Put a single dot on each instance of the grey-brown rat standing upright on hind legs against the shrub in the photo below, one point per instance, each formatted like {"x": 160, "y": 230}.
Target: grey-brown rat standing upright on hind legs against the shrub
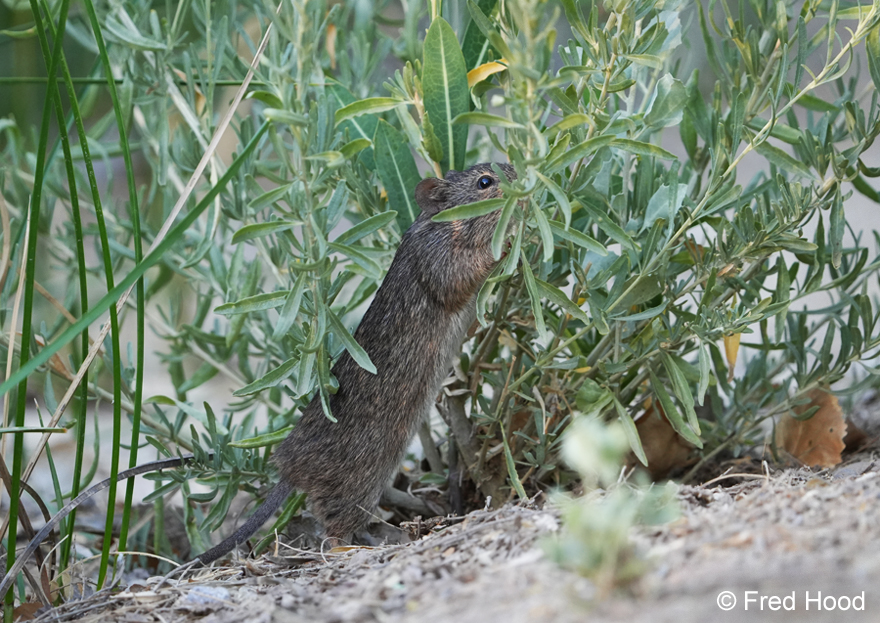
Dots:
{"x": 411, "y": 331}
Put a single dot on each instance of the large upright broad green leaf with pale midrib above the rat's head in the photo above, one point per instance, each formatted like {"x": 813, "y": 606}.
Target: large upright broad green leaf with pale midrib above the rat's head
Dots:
{"x": 444, "y": 82}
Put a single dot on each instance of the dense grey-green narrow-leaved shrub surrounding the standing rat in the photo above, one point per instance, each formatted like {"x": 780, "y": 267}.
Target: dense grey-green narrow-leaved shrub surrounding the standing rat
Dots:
{"x": 638, "y": 248}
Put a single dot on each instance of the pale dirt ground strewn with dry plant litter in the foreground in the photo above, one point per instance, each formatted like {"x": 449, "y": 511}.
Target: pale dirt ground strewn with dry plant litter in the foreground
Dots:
{"x": 810, "y": 539}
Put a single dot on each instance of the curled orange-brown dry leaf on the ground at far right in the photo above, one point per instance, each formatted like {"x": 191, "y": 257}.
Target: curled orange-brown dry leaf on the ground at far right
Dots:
{"x": 818, "y": 440}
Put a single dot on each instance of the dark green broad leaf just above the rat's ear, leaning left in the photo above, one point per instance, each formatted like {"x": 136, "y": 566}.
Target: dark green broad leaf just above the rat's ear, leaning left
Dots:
{"x": 398, "y": 172}
